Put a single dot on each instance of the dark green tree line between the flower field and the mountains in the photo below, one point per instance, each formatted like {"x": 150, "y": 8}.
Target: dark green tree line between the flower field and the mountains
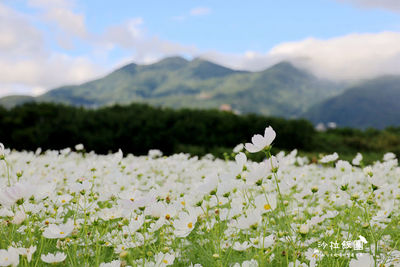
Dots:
{"x": 137, "y": 128}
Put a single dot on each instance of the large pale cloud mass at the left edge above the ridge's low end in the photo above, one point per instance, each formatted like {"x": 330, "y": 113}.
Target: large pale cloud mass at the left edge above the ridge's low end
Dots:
{"x": 27, "y": 65}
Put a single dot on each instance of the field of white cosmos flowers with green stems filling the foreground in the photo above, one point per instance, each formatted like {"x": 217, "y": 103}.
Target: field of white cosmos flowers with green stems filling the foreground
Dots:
{"x": 74, "y": 208}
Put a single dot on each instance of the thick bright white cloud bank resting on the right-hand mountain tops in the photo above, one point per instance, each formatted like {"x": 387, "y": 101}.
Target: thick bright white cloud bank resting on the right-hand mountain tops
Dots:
{"x": 353, "y": 56}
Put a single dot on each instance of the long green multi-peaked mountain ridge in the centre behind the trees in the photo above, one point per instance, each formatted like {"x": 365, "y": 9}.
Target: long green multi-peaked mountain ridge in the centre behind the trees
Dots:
{"x": 281, "y": 90}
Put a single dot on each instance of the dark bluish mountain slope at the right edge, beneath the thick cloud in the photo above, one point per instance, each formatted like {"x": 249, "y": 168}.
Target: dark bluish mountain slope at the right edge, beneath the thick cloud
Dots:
{"x": 374, "y": 103}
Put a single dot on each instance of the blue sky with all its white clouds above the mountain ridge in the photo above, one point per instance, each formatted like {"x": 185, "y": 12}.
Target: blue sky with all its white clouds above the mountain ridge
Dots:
{"x": 48, "y": 43}
